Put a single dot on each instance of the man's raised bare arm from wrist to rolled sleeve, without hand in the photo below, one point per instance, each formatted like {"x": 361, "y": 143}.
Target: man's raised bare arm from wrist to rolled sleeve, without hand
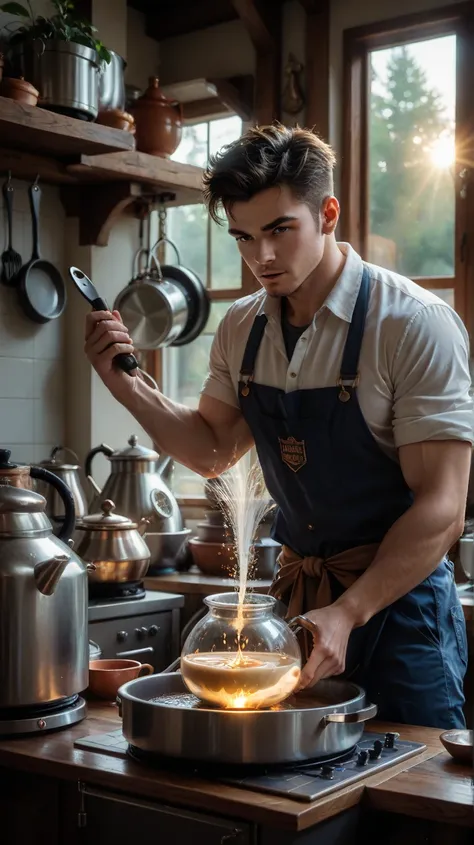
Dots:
{"x": 207, "y": 441}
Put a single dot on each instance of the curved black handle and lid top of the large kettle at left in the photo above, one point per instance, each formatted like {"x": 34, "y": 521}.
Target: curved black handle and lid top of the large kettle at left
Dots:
{"x": 19, "y": 475}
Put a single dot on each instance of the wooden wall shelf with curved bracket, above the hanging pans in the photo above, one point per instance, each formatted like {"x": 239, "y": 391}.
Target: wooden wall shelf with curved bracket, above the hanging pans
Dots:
{"x": 79, "y": 156}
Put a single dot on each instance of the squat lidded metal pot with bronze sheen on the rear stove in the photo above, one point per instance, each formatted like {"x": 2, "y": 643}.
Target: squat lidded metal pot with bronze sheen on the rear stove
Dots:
{"x": 114, "y": 545}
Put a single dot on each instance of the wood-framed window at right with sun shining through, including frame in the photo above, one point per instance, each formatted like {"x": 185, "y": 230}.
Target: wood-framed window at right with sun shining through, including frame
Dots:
{"x": 407, "y": 146}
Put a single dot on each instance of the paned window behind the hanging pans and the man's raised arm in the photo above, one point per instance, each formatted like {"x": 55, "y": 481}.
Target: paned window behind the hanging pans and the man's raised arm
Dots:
{"x": 207, "y": 249}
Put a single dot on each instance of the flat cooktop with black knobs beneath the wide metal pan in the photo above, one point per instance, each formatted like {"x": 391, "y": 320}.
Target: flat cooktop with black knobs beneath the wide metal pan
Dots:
{"x": 303, "y": 782}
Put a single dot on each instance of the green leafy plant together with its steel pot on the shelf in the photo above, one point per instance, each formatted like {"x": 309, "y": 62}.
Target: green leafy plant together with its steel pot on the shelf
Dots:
{"x": 61, "y": 55}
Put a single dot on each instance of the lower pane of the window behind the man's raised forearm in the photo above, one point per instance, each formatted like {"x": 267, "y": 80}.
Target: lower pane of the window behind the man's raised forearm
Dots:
{"x": 185, "y": 368}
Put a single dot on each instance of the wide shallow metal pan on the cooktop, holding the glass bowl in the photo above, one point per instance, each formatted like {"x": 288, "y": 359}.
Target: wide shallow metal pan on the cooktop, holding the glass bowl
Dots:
{"x": 328, "y": 720}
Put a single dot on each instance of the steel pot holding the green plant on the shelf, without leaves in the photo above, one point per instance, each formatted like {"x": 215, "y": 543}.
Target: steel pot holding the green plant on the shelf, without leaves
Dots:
{"x": 66, "y": 75}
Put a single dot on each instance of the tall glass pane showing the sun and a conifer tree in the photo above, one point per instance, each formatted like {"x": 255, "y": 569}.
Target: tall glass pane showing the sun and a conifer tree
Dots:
{"x": 411, "y": 157}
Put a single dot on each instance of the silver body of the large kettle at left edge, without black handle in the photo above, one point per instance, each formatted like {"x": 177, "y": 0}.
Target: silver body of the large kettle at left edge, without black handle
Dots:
{"x": 44, "y": 652}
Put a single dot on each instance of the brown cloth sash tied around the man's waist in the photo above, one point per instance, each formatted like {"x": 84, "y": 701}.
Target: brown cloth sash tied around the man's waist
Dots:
{"x": 303, "y": 583}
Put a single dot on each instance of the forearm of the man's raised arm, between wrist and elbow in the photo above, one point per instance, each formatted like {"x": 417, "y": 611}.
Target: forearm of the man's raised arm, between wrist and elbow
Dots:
{"x": 176, "y": 430}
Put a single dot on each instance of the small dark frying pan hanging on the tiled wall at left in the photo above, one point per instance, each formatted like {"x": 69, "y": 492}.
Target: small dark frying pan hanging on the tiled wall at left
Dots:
{"x": 40, "y": 286}
